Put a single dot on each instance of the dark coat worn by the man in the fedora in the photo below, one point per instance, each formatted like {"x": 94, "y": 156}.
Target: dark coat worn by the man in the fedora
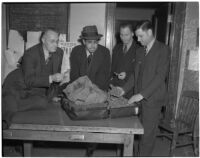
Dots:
{"x": 99, "y": 69}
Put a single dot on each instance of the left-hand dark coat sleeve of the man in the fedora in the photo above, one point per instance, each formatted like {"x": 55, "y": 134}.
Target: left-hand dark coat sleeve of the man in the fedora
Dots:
{"x": 74, "y": 65}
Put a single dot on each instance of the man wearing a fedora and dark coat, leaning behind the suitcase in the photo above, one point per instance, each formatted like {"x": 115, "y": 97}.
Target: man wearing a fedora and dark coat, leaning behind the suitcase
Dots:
{"x": 91, "y": 59}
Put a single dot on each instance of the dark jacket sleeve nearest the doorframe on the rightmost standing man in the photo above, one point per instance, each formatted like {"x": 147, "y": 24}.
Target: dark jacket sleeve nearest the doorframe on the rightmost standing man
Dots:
{"x": 161, "y": 73}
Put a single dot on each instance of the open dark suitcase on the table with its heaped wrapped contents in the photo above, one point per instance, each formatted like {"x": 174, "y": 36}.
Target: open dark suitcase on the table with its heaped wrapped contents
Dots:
{"x": 85, "y": 101}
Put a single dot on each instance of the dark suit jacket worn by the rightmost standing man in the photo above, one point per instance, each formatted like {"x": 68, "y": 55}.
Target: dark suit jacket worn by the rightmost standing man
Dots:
{"x": 153, "y": 81}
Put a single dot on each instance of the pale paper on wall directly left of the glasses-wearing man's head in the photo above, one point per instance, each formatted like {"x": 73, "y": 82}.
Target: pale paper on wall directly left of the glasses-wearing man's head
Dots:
{"x": 33, "y": 38}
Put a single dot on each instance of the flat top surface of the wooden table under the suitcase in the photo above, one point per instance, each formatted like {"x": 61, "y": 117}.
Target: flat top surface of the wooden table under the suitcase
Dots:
{"x": 55, "y": 119}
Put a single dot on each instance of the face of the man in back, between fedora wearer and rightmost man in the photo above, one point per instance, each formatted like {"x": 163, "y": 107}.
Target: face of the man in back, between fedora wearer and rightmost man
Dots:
{"x": 126, "y": 35}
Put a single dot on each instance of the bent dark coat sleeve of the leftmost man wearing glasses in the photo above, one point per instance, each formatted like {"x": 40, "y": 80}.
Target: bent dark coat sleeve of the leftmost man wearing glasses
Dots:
{"x": 29, "y": 69}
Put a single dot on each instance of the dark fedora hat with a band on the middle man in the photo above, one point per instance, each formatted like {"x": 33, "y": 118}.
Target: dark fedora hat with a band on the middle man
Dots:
{"x": 90, "y": 33}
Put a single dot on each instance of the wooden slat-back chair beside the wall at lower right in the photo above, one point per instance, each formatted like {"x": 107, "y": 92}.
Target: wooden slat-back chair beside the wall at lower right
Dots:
{"x": 181, "y": 121}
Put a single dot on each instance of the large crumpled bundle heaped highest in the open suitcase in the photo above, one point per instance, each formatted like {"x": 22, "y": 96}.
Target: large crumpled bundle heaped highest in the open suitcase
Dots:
{"x": 84, "y": 92}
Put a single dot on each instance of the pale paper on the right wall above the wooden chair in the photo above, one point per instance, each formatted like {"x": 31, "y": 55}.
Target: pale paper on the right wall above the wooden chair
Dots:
{"x": 193, "y": 63}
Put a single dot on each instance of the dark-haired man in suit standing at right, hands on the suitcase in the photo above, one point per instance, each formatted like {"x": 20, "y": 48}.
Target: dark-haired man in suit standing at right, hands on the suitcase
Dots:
{"x": 149, "y": 82}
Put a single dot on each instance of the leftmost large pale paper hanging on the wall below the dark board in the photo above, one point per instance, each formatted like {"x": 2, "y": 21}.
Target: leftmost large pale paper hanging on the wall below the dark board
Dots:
{"x": 16, "y": 42}
